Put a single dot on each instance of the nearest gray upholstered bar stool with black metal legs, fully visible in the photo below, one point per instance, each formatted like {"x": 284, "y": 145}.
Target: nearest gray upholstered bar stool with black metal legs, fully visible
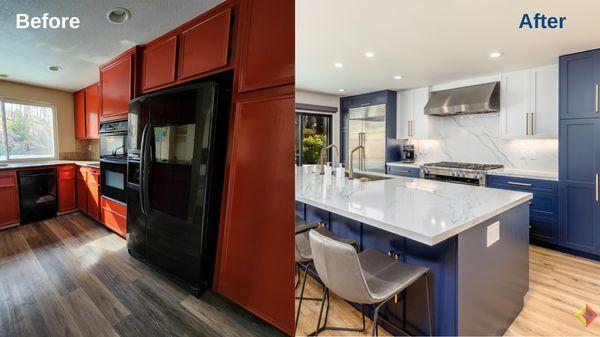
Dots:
{"x": 368, "y": 277}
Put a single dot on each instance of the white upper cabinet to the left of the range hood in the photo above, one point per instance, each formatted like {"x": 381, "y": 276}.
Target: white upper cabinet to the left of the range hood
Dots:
{"x": 410, "y": 114}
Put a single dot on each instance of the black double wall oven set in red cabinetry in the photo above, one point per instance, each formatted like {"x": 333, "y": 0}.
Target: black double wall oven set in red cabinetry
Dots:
{"x": 113, "y": 160}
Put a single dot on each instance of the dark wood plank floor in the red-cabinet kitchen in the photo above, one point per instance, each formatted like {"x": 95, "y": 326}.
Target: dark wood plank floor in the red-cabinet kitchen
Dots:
{"x": 69, "y": 276}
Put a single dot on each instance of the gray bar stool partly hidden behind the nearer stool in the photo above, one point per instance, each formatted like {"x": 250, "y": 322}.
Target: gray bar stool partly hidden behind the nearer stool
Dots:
{"x": 304, "y": 255}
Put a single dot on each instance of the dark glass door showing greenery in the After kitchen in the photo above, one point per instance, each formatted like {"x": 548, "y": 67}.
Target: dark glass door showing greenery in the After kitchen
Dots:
{"x": 313, "y": 133}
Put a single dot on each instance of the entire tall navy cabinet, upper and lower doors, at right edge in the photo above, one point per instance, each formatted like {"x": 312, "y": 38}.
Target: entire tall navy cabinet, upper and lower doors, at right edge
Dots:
{"x": 579, "y": 151}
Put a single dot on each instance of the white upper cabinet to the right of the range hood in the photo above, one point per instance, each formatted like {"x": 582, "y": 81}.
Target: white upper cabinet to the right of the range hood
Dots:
{"x": 529, "y": 103}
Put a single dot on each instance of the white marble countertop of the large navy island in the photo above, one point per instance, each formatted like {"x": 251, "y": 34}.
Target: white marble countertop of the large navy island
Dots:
{"x": 426, "y": 211}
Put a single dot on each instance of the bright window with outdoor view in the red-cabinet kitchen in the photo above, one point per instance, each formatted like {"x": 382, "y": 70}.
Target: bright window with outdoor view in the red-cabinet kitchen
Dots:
{"x": 27, "y": 131}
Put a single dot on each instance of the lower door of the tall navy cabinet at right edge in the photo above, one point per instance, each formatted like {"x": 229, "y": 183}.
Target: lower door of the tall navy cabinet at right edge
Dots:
{"x": 579, "y": 153}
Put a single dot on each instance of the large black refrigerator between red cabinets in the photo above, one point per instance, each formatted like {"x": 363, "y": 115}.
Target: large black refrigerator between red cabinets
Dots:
{"x": 175, "y": 168}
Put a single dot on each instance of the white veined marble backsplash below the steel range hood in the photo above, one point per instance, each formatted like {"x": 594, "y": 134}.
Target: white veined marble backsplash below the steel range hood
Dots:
{"x": 477, "y": 139}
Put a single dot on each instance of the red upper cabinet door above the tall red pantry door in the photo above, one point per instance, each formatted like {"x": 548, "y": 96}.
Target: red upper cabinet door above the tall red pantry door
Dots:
{"x": 267, "y": 51}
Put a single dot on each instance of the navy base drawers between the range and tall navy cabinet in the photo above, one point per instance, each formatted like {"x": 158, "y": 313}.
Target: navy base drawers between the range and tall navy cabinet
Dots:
{"x": 543, "y": 210}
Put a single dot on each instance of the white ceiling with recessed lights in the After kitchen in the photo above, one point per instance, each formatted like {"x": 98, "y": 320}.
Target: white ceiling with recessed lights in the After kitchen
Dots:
{"x": 429, "y": 41}
